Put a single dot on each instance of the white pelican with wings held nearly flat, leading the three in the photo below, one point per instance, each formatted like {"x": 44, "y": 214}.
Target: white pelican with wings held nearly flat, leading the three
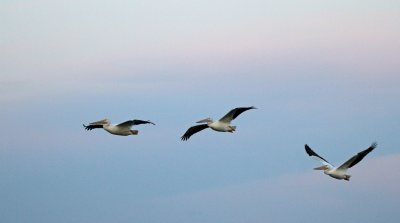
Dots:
{"x": 122, "y": 129}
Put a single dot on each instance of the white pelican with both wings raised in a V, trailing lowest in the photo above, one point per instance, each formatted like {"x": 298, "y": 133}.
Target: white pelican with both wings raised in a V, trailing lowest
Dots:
{"x": 339, "y": 172}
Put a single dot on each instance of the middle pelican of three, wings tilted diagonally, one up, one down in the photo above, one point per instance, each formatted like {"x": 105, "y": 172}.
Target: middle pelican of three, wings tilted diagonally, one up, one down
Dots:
{"x": 222, "y": 125}
